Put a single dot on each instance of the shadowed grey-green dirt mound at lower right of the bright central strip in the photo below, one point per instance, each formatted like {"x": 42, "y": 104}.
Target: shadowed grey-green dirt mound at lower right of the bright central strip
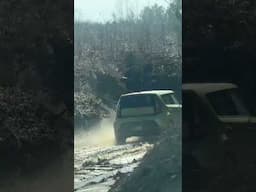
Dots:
{"x": 160, "y": 171}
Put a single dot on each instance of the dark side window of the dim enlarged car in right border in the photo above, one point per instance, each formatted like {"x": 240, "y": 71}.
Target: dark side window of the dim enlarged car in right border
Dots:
{"x": 227, "y": 103}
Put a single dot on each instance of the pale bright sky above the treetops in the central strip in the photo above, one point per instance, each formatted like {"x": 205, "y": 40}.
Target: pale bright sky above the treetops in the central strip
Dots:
{"x": 102, "y": 10}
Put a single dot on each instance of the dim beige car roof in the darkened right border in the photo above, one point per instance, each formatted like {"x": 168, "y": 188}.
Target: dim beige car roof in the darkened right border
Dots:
{"x": 204, "y": 88}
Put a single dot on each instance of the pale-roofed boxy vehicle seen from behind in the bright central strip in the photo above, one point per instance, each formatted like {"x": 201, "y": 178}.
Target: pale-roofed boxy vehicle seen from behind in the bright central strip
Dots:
{"x": 145, "y": 113}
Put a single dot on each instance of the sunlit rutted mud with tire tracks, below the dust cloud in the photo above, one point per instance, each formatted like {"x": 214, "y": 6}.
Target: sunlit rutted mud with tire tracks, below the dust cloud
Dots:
{"x": 97, "y": 168}
